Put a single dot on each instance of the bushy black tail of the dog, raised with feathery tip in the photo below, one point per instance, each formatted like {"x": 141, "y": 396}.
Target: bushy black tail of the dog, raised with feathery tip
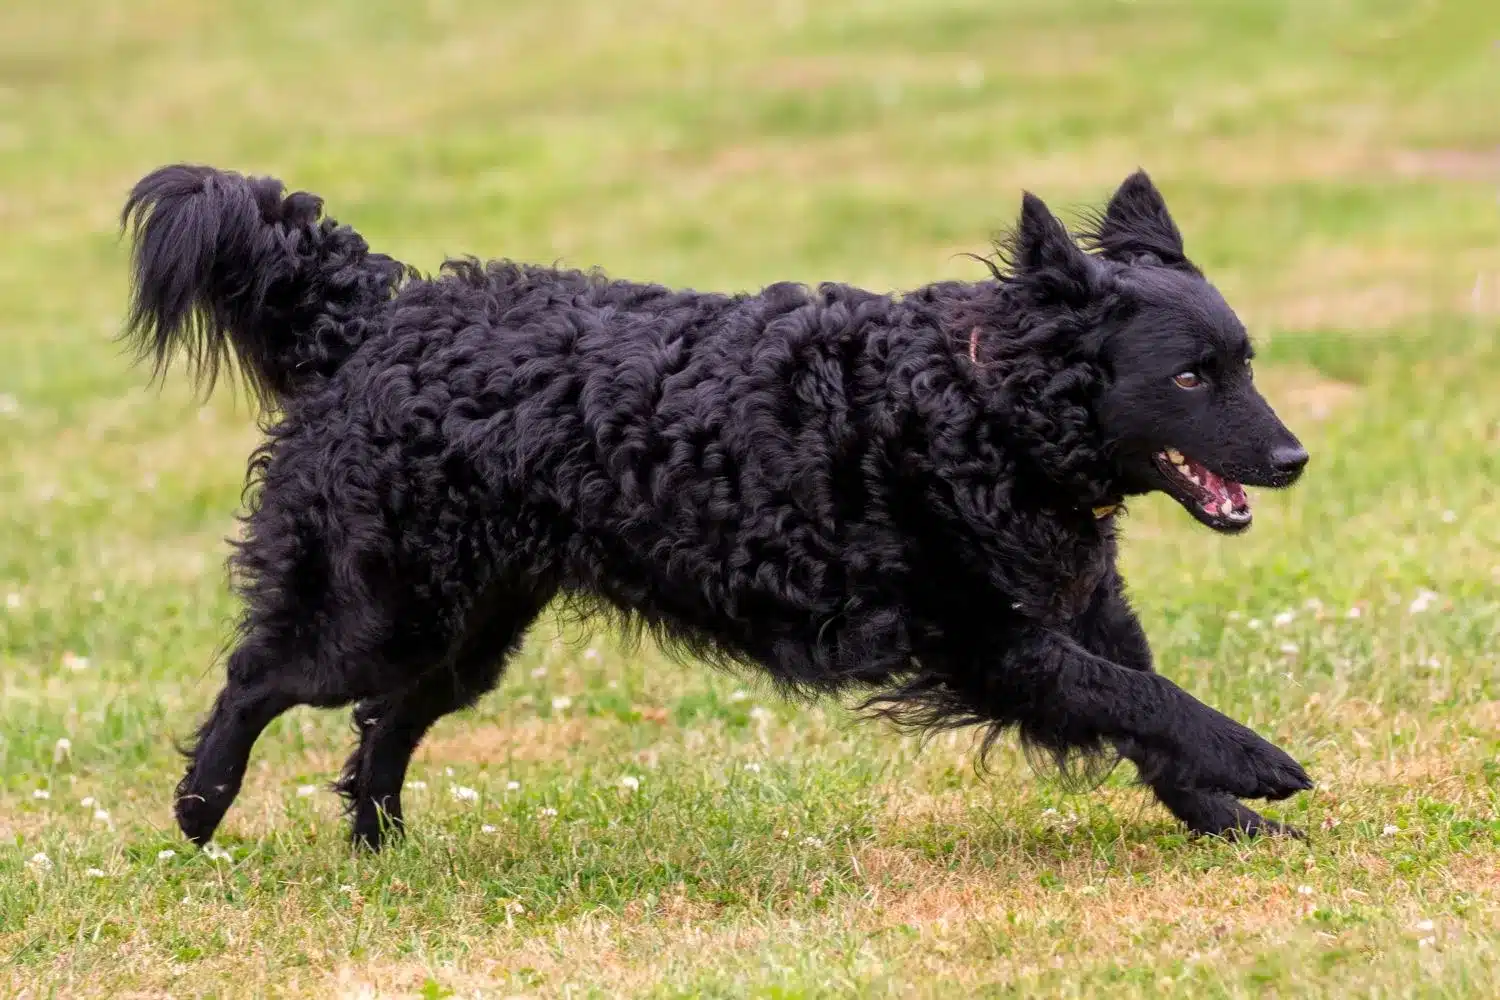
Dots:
{"x": 227, "y": 265}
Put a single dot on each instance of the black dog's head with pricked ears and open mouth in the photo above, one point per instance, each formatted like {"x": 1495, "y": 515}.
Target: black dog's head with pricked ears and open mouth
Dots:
{"x": 1174, "y": 403}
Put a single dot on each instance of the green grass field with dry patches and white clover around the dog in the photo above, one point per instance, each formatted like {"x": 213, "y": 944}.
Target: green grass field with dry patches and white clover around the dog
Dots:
{"x": 1336, "y": 169}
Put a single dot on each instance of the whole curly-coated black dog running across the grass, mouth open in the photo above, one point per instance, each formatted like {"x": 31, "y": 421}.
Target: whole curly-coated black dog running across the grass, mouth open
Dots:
{"x": 914, "y": 497}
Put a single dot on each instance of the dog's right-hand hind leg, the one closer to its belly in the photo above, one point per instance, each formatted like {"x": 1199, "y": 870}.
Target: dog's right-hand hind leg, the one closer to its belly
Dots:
{"x": 391, "y": 728}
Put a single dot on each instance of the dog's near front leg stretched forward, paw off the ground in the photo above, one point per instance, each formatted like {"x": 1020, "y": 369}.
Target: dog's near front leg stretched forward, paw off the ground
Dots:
{"x": 1064, "y": 696}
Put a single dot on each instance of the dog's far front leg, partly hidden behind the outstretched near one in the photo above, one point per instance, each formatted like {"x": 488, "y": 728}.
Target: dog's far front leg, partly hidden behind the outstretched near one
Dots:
{"x": 1111, "y": 629}
